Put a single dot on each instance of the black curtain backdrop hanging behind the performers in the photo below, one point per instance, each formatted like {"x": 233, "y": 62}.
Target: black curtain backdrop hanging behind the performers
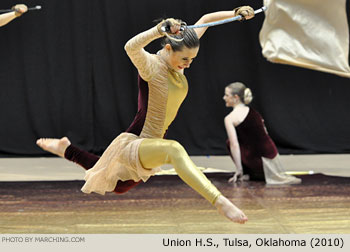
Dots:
{"x": 64, "y": 72}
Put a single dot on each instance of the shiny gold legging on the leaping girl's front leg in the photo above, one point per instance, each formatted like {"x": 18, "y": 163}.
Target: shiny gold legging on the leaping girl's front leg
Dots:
{"x": 156, "y": 152}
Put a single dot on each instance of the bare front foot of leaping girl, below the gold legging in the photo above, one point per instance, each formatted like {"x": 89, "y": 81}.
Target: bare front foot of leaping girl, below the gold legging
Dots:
{"x": 229, "y": 210}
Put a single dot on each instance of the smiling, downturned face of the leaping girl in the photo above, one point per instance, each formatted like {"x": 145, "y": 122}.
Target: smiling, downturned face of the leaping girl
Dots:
{"x": 180, "y": 60}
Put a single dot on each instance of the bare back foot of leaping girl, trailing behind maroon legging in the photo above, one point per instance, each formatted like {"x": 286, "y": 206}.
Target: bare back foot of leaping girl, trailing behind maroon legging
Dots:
{"x": 54, "y": 145}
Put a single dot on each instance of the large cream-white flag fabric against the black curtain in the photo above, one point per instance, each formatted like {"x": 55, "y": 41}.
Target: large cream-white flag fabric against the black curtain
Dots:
{"x": 307, "y": 33}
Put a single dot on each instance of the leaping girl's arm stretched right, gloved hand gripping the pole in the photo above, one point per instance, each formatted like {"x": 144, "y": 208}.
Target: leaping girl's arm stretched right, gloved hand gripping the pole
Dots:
{"x": 245, "y": 11}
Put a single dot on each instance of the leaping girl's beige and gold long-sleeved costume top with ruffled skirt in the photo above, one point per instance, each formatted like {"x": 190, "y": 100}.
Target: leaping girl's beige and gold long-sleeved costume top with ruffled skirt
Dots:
{"x": 166, "y": 89}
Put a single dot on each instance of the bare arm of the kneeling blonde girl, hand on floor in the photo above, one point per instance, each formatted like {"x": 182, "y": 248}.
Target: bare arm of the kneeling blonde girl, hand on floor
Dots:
{"x": 234, "y": 147}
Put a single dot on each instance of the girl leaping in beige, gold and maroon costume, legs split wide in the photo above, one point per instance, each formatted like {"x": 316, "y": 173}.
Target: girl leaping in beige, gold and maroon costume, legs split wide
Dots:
{"x": 136, "y": 154}
